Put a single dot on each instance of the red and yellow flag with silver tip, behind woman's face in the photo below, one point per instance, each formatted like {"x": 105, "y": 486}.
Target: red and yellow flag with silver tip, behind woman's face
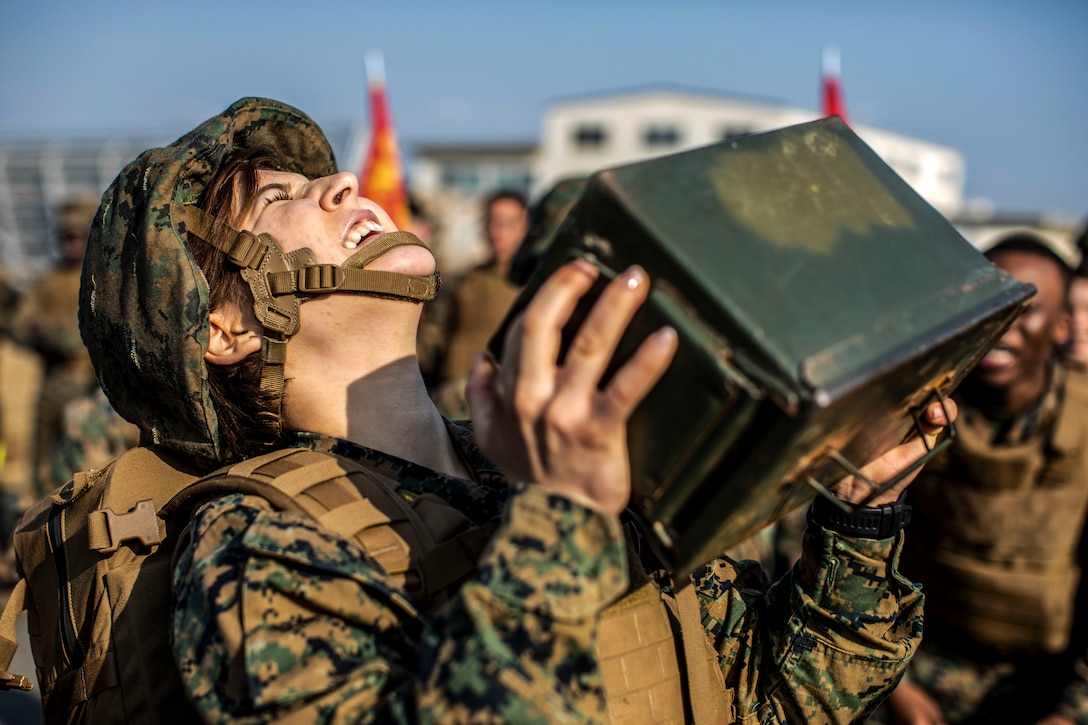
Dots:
{"x": 382, "y": 178}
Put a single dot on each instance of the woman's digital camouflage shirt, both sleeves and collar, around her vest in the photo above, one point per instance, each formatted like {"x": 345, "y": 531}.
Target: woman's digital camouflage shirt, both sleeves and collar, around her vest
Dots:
{"x": 277, "y": 617}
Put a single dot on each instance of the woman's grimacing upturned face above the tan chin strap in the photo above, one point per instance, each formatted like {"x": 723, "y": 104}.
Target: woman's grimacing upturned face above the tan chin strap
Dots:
{"x": 328, "y": 216}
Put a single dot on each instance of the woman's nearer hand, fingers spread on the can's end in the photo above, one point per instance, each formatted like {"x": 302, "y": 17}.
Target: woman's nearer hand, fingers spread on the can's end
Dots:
{"x": 550, "y": 424}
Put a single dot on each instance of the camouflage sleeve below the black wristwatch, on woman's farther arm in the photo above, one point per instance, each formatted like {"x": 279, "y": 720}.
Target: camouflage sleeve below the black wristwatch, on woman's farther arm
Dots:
{"x": 825, "y": 644}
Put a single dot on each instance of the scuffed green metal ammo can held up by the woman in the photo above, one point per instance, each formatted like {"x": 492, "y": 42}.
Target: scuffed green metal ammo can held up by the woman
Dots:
{"x": 821, "y": 304}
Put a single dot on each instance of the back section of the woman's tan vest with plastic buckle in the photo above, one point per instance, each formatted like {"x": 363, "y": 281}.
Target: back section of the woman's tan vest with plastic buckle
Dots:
{"x": 98, "y": 659}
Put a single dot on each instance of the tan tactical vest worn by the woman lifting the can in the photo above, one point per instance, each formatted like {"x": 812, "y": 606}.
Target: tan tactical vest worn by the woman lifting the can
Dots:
{"x": 85, "y": 563}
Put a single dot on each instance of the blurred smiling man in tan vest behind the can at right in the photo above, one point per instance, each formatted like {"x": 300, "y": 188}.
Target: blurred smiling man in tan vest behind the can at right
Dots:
{"x": 998, "y": 536}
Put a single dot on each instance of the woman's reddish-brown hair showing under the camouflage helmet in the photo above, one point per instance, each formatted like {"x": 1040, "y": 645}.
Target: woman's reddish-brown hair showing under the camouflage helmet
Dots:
{"x": 249, "y": 419}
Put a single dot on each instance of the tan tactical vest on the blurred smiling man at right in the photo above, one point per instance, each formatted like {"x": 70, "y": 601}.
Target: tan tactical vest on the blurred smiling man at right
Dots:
{"x": 1007, "y": 573}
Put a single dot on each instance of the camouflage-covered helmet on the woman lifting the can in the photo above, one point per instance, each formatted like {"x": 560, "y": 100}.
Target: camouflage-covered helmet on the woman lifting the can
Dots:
{"x": 144, "y": 301}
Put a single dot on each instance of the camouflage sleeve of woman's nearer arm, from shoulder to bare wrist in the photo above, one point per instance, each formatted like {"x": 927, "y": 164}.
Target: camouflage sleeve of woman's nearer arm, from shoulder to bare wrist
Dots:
{"x": 278, "y": 618}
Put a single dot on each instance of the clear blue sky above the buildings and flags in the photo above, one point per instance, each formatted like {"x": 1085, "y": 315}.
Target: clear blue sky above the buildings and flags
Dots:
{"x": 1003, "y": 81}
